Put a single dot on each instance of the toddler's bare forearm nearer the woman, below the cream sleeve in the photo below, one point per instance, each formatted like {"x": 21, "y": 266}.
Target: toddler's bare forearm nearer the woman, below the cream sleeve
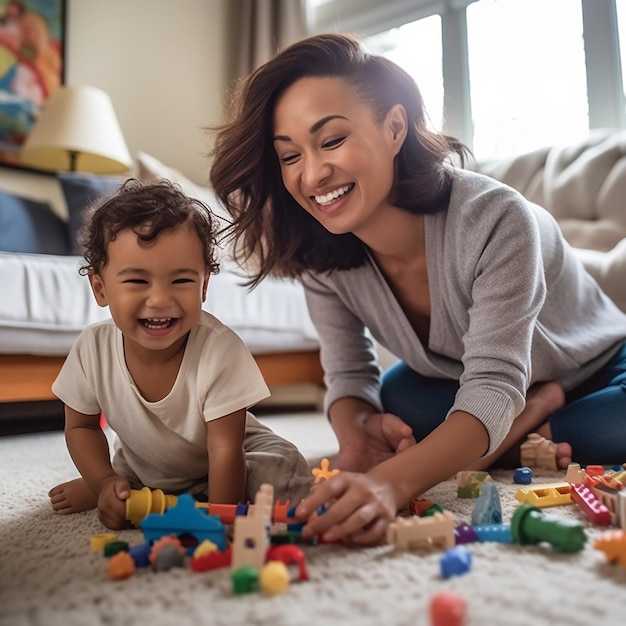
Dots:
{"x": 227, "y": 460}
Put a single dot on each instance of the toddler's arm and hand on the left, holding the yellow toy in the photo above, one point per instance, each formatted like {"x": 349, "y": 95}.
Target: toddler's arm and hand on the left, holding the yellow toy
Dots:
{"x": 89, "y": 449}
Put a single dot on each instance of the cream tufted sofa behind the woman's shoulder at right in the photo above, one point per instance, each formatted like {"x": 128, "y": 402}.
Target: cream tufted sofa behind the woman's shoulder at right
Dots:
{"x": 584, "y": 186}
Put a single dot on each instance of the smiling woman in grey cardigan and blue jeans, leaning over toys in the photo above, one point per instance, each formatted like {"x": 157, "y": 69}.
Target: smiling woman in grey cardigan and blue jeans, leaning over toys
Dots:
{"x": 332, "y": 176}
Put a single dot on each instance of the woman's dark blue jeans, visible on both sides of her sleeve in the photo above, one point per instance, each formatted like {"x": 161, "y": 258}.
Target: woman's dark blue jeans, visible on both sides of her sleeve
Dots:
{"x": 592, "y": 421}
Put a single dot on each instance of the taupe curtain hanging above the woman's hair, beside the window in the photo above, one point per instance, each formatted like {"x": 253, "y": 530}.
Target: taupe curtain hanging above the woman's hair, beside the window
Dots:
{"x": 265, "y": 26}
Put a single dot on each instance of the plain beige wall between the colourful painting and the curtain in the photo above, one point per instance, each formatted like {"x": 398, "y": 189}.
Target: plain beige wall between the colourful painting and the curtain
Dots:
{"x": 163, "y": 64}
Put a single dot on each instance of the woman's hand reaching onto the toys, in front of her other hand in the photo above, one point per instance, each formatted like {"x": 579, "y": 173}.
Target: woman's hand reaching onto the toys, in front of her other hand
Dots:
{"x": 358, "y": 509}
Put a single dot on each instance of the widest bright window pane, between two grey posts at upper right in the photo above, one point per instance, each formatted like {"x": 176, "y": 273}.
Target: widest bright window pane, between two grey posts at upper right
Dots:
{"x": 527, "y": 86}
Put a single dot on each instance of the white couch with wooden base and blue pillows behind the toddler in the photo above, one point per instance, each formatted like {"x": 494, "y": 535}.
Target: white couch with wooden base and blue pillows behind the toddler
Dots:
{"x": 46, "y": 303}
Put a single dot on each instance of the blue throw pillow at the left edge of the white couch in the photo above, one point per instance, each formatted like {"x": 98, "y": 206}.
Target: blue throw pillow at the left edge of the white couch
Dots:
{"x": 31, "y": 226}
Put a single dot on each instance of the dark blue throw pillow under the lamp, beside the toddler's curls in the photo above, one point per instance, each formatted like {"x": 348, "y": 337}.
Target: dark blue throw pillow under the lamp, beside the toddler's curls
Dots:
{"x": 81, "y": 191}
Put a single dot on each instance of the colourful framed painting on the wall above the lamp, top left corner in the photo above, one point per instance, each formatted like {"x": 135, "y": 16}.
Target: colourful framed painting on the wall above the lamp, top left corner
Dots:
{"x": 32, "y": 59}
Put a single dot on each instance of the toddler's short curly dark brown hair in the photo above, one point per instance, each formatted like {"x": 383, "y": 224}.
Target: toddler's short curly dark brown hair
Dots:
{"x": 155, "y": 208}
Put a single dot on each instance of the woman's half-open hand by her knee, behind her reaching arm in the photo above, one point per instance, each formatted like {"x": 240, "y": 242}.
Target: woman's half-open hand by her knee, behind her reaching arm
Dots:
{"x": 381, "y": 436}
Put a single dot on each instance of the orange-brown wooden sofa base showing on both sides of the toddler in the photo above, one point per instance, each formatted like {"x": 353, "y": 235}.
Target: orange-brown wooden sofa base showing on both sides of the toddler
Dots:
{"x": 27, "y": 378}
